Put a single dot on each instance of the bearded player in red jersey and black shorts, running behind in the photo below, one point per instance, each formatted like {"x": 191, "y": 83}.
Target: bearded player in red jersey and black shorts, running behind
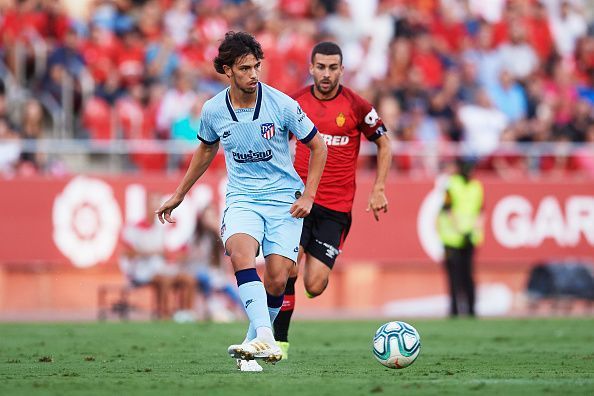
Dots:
{"x": 342, "y": 117}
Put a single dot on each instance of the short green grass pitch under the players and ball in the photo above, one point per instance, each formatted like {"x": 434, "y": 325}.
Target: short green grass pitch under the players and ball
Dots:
{"x": 458, "y": 357}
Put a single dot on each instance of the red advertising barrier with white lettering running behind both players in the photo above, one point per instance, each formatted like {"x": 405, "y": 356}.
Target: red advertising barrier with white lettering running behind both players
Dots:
{"x": 77, "y": 220}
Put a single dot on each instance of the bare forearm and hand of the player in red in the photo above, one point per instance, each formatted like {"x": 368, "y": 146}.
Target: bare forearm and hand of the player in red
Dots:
{"x": 377, "y": 199}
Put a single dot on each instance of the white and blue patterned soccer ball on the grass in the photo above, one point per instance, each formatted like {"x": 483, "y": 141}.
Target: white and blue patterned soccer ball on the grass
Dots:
{"x": 396, "y": 344}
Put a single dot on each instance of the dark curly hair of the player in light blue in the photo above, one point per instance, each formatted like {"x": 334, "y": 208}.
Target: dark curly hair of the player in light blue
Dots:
{"x": 235, "y": 46}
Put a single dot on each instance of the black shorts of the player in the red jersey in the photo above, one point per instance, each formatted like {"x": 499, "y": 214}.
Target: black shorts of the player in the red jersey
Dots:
{"x": 324, "y": 232}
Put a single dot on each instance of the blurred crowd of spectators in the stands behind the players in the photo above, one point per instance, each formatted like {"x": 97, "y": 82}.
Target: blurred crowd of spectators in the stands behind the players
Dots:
{"x": 477, "y": 72}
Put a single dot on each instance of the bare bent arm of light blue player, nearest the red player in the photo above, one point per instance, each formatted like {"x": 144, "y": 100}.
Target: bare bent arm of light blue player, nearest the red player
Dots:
{"x": 317, "y": 160}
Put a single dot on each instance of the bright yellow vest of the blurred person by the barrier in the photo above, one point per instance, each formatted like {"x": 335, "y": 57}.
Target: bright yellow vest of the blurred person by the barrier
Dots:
{"x": 466, "y": 205}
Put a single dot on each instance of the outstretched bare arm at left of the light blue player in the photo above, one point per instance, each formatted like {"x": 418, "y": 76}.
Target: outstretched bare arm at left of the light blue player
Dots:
{"x": 201, "y": 159}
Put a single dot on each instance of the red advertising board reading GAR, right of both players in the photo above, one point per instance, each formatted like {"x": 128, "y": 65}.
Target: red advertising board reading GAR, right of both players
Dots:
{"x": 526, "y": 221}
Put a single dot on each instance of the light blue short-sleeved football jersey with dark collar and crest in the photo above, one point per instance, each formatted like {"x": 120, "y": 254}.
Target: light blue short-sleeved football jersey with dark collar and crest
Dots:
{"x": 256, "y": 143}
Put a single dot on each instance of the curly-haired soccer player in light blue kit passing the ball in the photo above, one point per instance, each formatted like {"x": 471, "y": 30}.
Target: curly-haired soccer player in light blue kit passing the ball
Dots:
{"x": 266, "y": 200}
